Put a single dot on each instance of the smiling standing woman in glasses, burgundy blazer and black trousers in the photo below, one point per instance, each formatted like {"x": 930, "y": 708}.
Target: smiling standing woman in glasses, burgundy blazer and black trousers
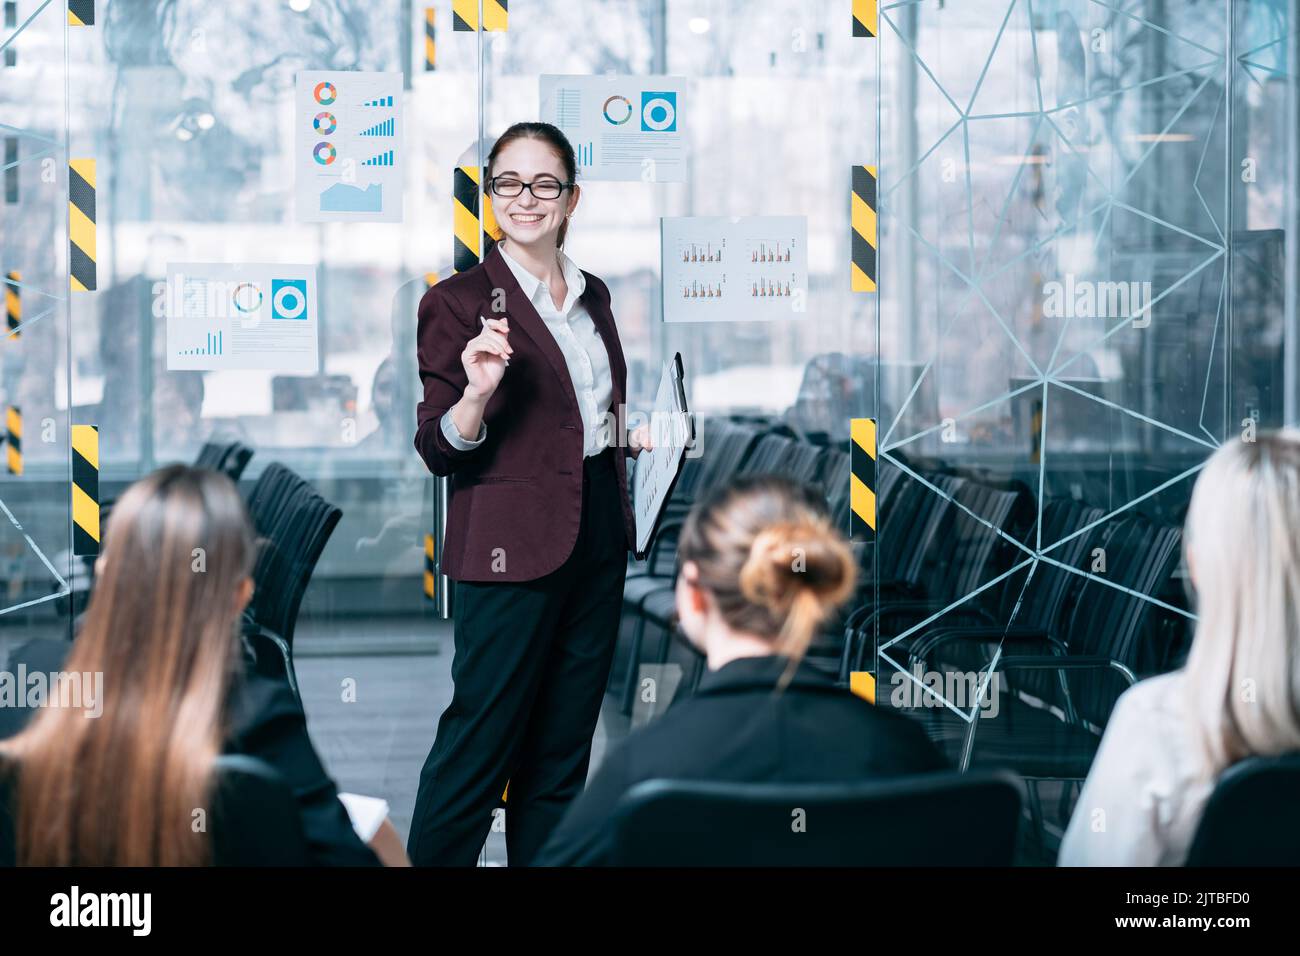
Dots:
{"x": 523, "y": 384}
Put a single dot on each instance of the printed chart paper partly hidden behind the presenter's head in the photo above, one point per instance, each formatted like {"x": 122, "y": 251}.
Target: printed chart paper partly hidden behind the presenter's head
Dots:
{"x": 622, "y": 128}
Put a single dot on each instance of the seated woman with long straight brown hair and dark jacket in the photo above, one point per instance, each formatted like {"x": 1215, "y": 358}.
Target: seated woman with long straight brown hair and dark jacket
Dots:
{"x": 120, "y": 785}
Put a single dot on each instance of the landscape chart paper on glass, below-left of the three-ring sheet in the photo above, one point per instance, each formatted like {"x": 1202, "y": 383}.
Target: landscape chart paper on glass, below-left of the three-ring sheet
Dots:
{"x": 252, "y": 315}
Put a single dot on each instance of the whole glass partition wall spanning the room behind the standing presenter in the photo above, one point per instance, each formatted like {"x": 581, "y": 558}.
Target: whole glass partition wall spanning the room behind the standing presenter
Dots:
{"x": 1086, "y": 283}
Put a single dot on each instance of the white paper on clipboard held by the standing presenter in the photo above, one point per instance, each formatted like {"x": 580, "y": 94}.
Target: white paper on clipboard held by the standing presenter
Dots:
{"x": 657, "y": 469}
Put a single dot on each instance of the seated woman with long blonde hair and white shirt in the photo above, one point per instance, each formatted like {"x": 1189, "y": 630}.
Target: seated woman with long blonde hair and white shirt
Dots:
{"x": 1171, "y": 738}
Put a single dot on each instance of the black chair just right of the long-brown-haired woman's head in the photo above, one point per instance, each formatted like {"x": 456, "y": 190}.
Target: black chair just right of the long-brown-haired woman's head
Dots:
{"x": 294, "y": 524}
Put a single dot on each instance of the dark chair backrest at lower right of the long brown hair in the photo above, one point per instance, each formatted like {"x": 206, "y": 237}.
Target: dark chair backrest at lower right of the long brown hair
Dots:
{"x": 255, "y": 817}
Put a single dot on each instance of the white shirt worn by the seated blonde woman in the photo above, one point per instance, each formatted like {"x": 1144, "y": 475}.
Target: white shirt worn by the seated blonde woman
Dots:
{"x": 1149, "y": 784}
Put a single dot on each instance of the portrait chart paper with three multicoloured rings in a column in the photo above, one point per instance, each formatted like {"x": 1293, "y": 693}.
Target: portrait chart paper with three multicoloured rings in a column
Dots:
{"x": 349, "y": 154}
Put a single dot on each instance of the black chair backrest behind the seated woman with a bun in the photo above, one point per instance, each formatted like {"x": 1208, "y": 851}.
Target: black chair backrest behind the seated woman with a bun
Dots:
{"x": 934, "y": 820}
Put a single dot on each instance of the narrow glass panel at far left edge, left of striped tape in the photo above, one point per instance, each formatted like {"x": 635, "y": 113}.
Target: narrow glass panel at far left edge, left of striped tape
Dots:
{"x": 41, "y": 578}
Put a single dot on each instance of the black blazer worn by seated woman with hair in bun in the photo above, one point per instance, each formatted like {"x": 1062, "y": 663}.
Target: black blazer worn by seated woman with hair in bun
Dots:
{"x": 736, "y": 730}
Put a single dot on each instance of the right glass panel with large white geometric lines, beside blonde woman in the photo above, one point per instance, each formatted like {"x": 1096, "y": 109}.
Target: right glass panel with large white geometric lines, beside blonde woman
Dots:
{"x": 1087, "y": 249}
